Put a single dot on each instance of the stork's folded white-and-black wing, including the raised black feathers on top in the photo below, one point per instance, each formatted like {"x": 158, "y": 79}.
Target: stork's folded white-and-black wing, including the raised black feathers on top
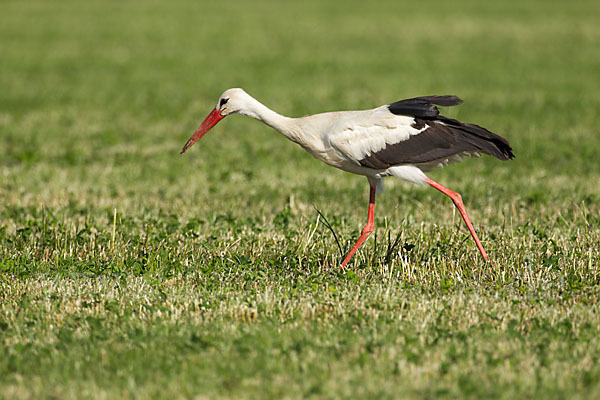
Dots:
{"x": 389, "y": 135}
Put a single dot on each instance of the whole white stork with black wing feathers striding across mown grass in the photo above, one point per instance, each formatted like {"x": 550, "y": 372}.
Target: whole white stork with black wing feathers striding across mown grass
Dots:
{"x": 404, "y": 139}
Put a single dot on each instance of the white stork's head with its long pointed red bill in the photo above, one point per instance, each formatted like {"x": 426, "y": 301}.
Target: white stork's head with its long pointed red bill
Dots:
{"x": 232, "y": 101}
